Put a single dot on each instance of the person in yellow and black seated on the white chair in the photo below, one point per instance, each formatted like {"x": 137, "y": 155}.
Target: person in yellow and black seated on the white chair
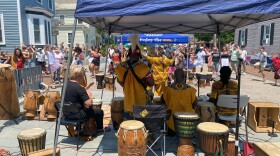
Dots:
{"x": 224, "y": 86}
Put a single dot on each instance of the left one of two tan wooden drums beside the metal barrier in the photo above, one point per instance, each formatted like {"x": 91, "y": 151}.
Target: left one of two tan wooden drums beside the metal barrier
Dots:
{"x": 31, "y": 103}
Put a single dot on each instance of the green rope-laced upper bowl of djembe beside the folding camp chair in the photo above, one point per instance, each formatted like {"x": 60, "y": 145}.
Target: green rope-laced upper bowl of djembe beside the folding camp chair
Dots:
{"x": 185, "y": 124}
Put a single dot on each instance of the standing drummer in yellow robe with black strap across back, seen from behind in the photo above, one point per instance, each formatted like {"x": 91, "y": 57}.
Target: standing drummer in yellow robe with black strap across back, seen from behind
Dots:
{"x": 134, "y": 90}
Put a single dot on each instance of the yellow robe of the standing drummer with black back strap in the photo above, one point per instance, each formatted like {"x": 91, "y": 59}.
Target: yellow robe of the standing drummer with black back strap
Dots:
{"x": 134, "y": 93}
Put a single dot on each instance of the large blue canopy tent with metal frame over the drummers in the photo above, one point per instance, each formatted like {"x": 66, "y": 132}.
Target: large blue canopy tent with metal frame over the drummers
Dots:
{"x": 170, "y": 16}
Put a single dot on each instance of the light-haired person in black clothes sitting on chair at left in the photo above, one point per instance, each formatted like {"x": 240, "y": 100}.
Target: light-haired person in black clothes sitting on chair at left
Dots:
{"x": 81, "y": 99}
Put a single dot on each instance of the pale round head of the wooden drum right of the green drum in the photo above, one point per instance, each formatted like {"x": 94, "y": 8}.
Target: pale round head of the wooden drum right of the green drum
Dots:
{"x": 212, "y": 127}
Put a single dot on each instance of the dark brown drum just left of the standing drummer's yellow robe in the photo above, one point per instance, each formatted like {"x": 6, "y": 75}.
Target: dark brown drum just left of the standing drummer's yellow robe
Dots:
{"x": 117, "y": 108}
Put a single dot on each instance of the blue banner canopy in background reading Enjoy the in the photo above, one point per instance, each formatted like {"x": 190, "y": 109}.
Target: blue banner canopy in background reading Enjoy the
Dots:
{"x": 155, "y": 38}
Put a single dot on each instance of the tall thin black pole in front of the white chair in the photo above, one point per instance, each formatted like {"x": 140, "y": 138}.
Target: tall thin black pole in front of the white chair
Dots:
{"x": 238, "y": 103}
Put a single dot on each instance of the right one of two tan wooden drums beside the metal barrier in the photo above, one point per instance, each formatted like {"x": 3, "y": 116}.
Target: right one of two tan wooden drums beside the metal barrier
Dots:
{"x": 50, "y": 98}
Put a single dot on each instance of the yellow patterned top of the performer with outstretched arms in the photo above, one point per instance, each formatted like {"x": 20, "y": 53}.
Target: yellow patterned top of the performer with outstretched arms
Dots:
{"x": 160, "y": 67}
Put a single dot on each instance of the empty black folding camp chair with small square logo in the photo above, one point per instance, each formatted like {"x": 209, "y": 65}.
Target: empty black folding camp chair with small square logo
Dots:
{"x": 154, "y": 119}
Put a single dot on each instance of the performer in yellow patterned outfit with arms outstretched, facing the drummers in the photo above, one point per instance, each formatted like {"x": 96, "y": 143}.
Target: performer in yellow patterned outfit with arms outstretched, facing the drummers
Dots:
{"x": 160, "y": 64}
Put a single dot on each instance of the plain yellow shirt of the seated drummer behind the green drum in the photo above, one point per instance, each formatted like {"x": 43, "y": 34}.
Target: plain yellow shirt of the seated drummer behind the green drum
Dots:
{"x": 178, "y": 100}
